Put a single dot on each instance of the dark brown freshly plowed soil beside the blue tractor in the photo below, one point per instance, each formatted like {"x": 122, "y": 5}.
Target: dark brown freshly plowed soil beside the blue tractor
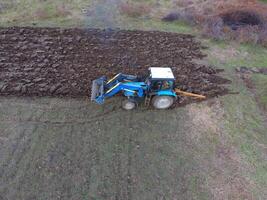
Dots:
{"x": 63, "y": 62}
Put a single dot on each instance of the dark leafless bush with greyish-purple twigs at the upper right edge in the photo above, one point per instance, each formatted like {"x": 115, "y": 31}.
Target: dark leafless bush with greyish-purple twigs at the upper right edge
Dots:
{"x": 241, "y": 26}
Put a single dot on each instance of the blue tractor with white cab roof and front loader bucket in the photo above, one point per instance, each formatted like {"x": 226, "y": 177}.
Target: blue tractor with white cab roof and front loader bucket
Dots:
{"x": 158, "y": 89}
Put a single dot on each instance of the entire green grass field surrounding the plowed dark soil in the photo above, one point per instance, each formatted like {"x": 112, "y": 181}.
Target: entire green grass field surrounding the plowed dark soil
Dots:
{"x": 72, "y": 149}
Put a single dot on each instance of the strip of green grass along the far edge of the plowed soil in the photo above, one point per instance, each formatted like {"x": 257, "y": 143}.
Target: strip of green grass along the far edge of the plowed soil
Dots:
{"x": 69, "y": 14}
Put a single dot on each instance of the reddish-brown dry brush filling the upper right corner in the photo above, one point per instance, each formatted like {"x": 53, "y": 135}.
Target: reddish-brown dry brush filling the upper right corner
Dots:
{"x": 209, "y": 16}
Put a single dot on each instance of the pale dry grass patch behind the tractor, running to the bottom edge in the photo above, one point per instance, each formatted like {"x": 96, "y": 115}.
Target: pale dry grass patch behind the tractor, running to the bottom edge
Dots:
{"x": 207, "y": 123}
